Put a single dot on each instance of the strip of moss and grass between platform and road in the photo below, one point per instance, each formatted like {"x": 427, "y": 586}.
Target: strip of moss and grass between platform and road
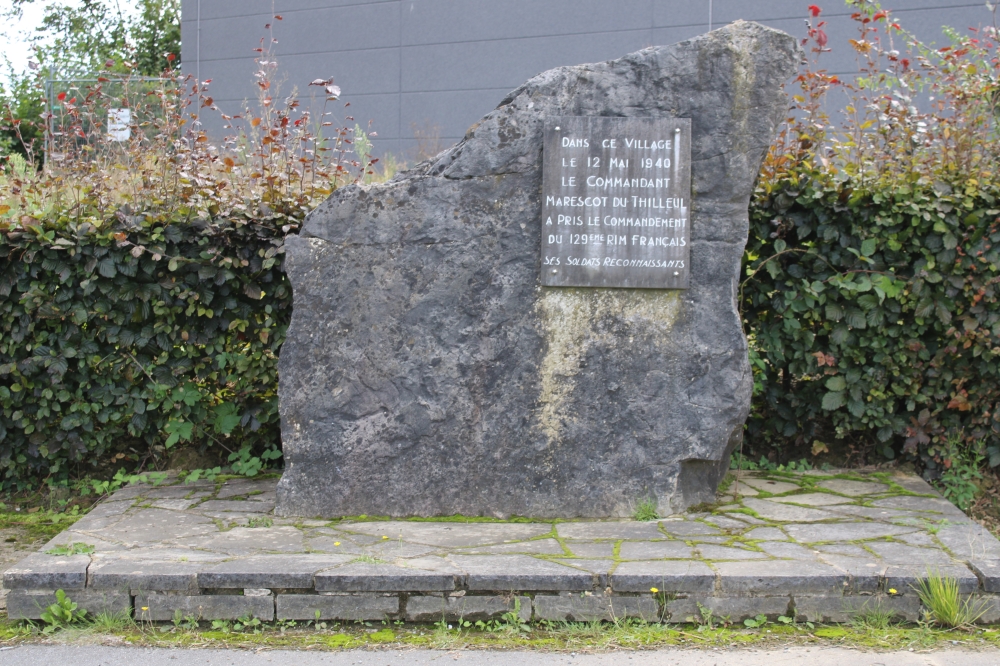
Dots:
{"x": 562, "y": 637}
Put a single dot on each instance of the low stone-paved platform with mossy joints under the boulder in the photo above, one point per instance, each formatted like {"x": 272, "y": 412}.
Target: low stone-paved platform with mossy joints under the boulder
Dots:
{"x": 822, "y": 546}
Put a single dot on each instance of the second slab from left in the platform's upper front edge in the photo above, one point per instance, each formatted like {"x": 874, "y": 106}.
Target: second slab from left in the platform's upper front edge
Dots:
{"x": 145, "y": 575}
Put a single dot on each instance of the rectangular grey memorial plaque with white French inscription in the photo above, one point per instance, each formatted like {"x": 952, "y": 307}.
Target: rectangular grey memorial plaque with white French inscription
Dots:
{"x": 616, "y": 197}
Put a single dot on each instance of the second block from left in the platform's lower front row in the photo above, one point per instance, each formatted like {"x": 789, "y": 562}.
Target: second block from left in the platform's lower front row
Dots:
{"x": 164, "y": 607}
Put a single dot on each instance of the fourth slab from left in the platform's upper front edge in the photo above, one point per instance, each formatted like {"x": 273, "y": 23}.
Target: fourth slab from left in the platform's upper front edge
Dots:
{"x": 365, "y": 577}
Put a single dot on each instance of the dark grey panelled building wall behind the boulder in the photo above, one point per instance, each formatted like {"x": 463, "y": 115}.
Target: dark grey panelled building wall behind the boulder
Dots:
{"x": 439, "y": 65}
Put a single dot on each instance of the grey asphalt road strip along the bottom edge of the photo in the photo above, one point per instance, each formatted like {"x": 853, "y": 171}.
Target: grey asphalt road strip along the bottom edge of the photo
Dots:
{"x": 85, "y": 655}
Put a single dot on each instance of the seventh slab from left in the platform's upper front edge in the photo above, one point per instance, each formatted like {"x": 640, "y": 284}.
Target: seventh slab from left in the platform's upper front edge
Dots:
{"x": 774, "y": 577}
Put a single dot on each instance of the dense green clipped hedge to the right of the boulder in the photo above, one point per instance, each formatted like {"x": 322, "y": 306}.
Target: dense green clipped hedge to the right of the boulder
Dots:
{"x": 873, "y": 315}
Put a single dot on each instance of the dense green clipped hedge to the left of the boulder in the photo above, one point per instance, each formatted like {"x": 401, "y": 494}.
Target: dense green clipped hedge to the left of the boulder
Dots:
{"x": 121, "y": 342}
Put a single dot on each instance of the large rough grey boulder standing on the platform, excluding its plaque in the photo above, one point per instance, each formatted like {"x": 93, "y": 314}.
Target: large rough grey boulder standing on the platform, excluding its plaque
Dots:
{"x": 427, "y": 372}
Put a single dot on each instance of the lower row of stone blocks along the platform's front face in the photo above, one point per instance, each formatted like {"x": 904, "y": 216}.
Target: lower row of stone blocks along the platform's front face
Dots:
{"x": 347, "y": 607}
